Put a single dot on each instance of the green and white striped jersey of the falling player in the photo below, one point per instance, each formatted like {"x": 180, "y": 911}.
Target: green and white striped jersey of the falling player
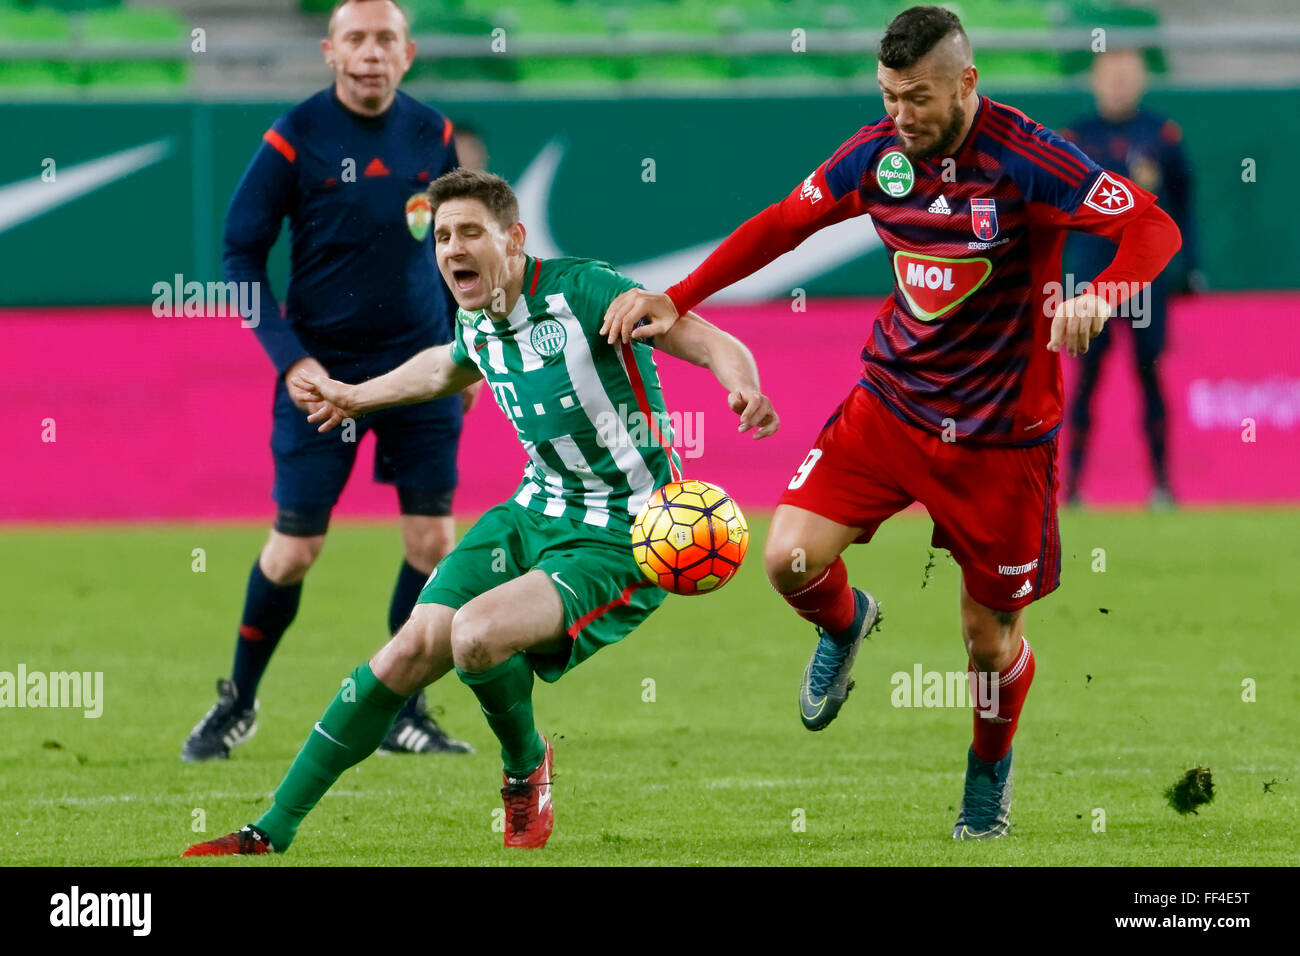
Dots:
{"x": 590, "y": 416}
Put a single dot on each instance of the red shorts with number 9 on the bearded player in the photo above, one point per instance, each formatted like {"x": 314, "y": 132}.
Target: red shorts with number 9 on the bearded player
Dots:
{"x": 994, "y": 508}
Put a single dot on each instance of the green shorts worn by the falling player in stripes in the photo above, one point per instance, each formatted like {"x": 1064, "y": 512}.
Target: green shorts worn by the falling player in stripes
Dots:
{"x": 603, "y": 590}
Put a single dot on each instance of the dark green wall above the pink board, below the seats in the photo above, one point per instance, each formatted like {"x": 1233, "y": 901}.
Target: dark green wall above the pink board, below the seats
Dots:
{"x": 717, "y": 162}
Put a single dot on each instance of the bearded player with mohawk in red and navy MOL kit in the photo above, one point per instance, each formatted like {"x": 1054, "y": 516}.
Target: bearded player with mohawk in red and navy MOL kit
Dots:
{"x": 961, "y": 396}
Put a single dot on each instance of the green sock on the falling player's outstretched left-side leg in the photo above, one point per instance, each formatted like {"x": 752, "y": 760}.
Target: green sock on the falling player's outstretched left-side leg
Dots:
{"x": 353, "y": 728}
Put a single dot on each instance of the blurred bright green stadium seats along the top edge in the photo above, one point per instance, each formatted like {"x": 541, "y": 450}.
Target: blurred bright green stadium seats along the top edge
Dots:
{"x": 709, "y": 28}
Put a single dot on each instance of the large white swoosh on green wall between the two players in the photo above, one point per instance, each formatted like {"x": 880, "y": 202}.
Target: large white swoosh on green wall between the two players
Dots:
{"x": 824, "y": 252}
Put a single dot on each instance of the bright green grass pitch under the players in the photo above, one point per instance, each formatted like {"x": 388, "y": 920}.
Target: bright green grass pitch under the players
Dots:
{"x": 1142, "y": 672}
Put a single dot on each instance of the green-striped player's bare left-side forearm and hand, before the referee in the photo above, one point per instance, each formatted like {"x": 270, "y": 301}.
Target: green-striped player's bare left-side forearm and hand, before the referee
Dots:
{"x": 428, "y": 375}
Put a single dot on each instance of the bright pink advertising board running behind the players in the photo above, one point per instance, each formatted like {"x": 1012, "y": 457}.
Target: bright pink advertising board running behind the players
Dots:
{"x": 170, "y": 418}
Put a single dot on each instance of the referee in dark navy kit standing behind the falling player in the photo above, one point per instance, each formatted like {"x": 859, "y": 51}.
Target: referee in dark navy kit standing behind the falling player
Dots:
{"x": 365, "y": 296}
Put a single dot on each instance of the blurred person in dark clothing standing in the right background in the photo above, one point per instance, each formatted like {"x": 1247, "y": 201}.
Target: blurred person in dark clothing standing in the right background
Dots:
{"x": 1125, "y": 139}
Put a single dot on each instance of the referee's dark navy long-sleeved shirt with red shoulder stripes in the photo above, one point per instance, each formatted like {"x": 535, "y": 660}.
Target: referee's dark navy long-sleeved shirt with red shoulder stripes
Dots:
{"x": 363, "y": 296}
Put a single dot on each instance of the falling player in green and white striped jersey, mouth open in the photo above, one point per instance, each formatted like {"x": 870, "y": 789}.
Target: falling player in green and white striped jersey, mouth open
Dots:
{"x": 545, "y": 579}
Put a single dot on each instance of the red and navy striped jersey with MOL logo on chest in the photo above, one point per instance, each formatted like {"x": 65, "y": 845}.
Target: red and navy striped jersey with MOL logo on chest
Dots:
{"x": 976, "y": 241}
